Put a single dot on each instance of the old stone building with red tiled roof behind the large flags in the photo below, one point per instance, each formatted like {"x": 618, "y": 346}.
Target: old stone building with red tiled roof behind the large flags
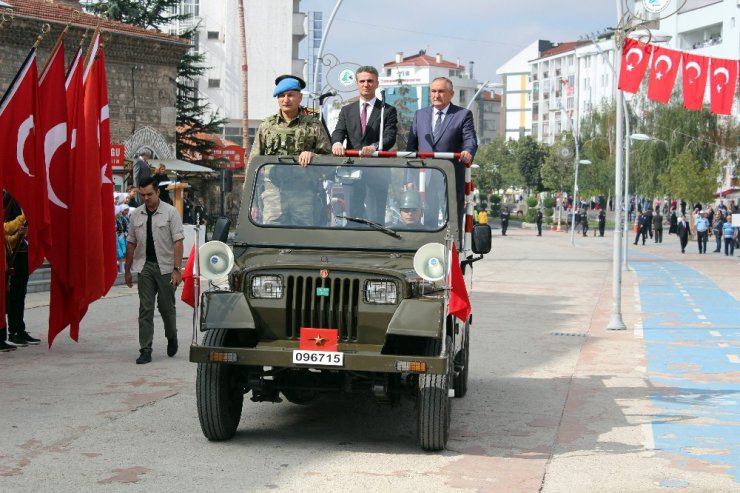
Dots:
{"x": 141, "y": 66}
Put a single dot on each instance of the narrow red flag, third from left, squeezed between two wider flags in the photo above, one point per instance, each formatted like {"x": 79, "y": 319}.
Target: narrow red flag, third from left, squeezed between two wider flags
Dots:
{"x": 65, "y": 307}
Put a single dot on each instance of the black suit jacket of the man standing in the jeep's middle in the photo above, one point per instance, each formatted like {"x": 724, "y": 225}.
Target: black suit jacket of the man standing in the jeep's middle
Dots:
{"x": 348, "y": 127}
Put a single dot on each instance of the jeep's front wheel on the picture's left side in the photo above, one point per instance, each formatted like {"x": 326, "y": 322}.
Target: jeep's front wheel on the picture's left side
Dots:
{"x": 218, "y": 393}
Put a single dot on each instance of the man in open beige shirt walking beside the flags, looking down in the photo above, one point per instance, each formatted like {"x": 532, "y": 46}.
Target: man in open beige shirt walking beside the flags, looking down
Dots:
{"x": 154, "y": 250}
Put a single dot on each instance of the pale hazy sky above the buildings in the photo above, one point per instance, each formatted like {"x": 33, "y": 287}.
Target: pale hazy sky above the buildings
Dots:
{"x": 488, "y": 32}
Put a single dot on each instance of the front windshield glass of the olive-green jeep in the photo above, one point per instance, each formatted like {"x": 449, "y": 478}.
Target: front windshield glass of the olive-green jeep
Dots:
{"x": 349, "y": 197}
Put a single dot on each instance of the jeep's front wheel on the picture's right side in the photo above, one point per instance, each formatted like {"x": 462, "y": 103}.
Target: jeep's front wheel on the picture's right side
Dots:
{"x": 434, "y": 411}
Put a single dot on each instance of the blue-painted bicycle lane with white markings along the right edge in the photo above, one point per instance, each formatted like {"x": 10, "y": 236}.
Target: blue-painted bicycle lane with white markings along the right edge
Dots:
{"x": 691, "y": 330}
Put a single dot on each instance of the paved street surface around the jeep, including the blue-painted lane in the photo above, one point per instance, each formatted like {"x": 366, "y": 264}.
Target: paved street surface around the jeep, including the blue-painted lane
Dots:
{"x": 557, "y": 403}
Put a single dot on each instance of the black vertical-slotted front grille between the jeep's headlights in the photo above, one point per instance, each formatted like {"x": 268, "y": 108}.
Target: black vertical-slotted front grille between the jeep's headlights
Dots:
{"x": 338, "y": 310}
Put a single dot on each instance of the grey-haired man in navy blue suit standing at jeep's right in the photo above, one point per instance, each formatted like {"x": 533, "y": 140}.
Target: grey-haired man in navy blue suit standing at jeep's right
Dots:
{"x": 443, "y": 127}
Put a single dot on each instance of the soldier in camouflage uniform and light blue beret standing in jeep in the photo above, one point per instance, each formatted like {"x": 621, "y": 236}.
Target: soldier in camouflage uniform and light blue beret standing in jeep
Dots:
{"x": 288, "y": 195}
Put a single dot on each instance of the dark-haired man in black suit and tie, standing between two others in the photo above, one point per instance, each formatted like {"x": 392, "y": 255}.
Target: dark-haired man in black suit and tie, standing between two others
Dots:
{"x": 359, "y": 126}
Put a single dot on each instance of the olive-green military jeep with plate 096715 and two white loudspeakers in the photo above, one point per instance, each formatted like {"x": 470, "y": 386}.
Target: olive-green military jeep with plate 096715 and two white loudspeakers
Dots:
{"x": 313, "y": 300}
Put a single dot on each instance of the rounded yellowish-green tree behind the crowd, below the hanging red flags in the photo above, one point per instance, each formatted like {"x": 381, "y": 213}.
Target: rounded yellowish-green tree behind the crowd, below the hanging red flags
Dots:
{"x": 688, "y": 178}
